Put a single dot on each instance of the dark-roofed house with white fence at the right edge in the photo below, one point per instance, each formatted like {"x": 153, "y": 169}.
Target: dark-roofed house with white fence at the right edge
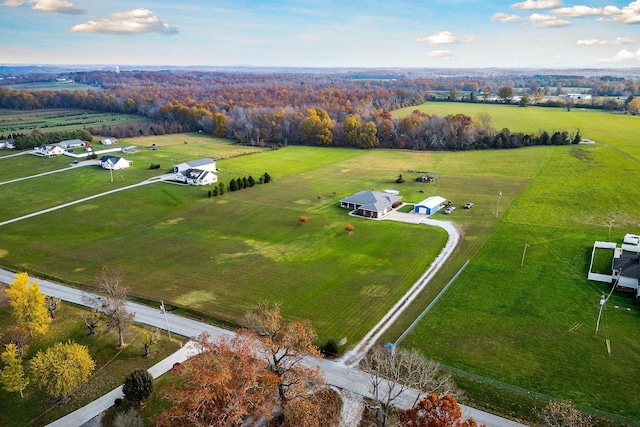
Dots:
{"x": 625, "y": 265}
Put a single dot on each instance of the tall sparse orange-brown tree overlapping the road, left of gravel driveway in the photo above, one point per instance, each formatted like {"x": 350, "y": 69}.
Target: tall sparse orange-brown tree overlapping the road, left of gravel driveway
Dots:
{"x": 285, "y": 345}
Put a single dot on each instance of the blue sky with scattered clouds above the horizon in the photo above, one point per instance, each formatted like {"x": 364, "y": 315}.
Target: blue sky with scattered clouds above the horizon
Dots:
{"x": 323, "y": 33}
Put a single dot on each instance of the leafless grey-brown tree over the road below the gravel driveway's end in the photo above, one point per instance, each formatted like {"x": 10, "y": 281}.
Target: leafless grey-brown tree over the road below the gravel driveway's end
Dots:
{"x": 393, "y": 373}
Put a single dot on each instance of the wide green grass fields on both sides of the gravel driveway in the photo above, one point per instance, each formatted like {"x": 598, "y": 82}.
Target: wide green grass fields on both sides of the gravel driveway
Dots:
{"x": 499, "y": 320}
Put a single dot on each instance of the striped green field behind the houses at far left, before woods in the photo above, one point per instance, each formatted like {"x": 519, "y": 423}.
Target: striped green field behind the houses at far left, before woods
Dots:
{"x": 12, "y": 121}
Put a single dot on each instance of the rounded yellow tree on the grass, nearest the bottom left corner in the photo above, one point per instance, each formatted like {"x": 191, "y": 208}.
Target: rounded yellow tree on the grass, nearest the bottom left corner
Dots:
{"x": 62, "y": 368}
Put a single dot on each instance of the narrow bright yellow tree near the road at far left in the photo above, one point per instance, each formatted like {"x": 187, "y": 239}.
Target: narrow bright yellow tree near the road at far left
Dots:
{"x": 28, "y": 305}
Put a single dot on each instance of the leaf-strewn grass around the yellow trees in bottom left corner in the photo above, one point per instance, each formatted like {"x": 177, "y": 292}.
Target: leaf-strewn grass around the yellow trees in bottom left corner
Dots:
{"x": 112, "y": 366}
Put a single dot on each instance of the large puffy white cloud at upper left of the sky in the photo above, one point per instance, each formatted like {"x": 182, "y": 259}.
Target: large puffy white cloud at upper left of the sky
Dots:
{"x": 135, "y": 21}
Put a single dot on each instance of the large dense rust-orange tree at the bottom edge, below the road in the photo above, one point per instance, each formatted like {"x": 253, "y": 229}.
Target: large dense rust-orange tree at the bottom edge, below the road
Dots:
{"x": 227, "y": 382}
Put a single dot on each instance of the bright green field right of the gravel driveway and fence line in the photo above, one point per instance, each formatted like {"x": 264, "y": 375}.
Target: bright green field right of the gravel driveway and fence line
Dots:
{"x": 533, "y": 326}
